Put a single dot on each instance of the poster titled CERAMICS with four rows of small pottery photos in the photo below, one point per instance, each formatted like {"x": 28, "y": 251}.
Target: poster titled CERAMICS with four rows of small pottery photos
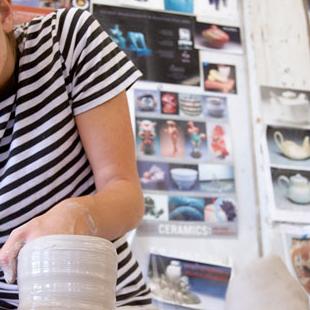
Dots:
{"x": 185, "y": 163}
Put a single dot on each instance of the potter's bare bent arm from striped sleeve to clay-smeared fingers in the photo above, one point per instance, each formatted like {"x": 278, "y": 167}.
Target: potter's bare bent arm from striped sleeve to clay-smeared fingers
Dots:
{"x": 116, "y": 208}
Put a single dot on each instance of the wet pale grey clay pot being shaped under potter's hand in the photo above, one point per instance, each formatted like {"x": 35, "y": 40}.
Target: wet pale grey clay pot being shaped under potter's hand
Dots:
{"x": 67, "y": 272}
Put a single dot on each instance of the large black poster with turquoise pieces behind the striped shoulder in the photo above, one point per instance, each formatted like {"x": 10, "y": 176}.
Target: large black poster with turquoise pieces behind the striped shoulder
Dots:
{"x": 160, "y": 44}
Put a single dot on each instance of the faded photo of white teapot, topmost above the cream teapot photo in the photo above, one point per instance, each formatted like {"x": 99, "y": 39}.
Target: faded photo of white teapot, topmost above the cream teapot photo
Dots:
{"x": 285, "y": 106}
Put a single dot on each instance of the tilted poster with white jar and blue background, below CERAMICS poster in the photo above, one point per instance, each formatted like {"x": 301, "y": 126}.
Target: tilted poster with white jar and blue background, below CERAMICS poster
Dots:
{"x": 181, "y": 284}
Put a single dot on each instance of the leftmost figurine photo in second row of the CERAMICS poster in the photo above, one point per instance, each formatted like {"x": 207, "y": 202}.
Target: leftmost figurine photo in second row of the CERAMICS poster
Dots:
{"x": 147, "y": 137}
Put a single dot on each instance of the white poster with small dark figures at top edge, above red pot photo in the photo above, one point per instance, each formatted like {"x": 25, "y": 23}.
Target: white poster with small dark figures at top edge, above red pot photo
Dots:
{"x": 218, "y": 10}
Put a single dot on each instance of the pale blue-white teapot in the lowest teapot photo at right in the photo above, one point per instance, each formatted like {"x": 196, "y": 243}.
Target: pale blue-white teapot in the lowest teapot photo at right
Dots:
{"x": 296, "y": 188}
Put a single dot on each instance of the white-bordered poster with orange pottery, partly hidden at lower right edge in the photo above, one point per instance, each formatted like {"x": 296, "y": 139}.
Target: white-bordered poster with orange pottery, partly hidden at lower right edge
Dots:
{"x": 296, "y": 244}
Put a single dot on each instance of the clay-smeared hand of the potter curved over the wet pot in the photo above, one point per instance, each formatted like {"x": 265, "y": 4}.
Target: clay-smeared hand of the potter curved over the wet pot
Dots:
{"x": 65, "y": 218}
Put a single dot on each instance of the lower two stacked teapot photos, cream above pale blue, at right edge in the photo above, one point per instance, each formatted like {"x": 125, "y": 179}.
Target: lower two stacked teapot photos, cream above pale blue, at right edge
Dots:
{"x": 289, "y": 157}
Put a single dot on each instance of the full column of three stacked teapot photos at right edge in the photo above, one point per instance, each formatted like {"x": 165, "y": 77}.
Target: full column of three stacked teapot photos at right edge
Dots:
{"x": 286, "y": 115}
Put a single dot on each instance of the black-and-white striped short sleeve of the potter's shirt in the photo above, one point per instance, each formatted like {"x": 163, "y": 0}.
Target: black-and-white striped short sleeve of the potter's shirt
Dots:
{"x": 97, "y": 69}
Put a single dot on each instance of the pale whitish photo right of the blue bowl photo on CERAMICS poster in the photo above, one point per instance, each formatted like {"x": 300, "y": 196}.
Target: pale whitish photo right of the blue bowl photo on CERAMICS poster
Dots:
{"x": 216, "y": 178}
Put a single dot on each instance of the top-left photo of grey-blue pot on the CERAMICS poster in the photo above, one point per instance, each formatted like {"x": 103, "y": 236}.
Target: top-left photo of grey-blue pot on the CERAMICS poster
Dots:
{"x": 147, "y": 101}
